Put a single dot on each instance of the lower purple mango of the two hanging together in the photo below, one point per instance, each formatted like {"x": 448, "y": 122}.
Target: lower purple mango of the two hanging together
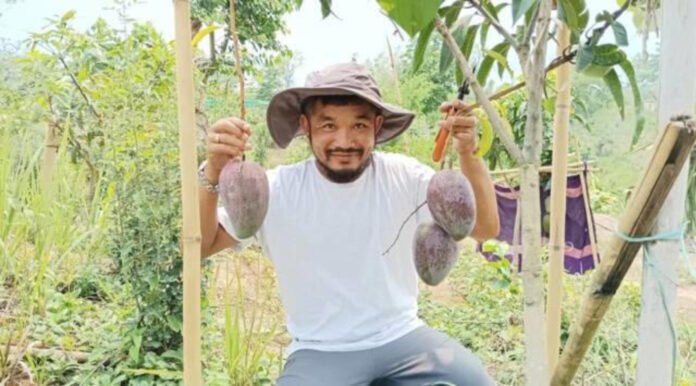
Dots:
{"x": 435, "y": 253}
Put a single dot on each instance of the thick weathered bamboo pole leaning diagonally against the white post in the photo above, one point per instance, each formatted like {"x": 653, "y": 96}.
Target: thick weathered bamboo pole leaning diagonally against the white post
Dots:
{"x": 638, "y": 220}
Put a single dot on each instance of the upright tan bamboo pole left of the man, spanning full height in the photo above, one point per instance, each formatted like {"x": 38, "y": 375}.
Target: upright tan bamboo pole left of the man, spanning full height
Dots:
{"x": 191, "y": 237}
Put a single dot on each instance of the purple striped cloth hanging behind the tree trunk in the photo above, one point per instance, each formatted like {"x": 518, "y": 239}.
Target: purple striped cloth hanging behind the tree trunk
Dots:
{"x": 578, "y": 251}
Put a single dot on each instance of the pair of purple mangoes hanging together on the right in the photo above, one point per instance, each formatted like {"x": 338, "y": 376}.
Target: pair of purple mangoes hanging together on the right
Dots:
{"x": 452, "y": 204}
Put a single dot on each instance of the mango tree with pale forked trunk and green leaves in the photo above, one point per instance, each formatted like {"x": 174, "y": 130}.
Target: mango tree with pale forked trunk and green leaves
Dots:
{"x": 524, "y": 36}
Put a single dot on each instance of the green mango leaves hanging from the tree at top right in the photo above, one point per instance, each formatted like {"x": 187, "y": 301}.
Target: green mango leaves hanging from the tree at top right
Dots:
{"x": 471, "y": 33}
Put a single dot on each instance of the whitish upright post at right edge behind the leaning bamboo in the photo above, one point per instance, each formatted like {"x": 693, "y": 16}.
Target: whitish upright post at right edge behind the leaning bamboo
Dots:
{"x": 677, "y": 95}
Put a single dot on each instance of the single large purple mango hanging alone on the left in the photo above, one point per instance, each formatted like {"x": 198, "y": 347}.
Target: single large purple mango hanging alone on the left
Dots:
{"x": 244, "y": 192}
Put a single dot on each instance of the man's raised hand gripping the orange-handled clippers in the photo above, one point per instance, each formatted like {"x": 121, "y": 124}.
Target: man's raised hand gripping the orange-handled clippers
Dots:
{"x": 461, "y": 124}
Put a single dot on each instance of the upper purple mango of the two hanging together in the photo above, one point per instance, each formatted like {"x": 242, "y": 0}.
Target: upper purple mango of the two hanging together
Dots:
{"x": 452, "y": 203}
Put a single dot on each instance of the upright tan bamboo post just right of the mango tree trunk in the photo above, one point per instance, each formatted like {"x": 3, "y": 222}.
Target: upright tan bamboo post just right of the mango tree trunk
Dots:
{"x": 559, "y": 181}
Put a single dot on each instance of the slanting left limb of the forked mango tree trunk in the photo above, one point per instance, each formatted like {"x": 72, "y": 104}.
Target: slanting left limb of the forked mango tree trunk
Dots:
{"x": 481, "y": 97}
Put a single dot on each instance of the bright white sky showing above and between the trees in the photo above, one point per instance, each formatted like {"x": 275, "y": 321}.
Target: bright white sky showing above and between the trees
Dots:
{"x": 361, "y": 32}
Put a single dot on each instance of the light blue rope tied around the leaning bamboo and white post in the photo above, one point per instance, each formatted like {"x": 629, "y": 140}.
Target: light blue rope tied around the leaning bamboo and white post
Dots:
{"x": 650, "y": 262}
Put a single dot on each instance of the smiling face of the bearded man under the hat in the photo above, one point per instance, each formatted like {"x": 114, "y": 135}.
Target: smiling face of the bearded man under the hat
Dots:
{"x": 342, "y": 137}
